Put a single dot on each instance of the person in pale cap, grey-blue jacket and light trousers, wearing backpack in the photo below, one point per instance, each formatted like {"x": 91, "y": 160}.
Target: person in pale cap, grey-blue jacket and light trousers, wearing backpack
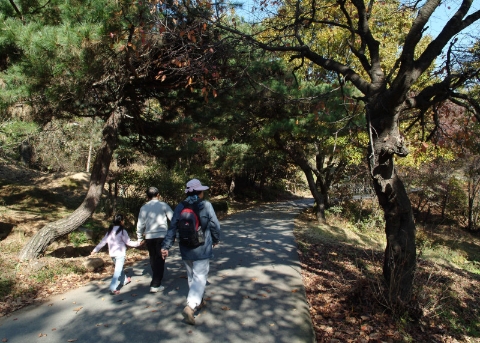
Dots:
{"x": 196, "y": 259}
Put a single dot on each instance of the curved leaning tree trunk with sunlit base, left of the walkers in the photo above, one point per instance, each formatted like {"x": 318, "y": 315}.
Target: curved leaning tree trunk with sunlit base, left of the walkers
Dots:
{"x": 50, "y": 232}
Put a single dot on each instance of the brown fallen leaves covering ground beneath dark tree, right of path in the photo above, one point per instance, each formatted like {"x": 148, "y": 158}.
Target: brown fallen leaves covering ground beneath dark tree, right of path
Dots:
{"x": 344, "y": 286}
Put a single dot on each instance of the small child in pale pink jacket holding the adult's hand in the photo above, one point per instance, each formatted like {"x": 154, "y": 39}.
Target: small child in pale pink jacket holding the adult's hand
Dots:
{"x": 117, "y": 240}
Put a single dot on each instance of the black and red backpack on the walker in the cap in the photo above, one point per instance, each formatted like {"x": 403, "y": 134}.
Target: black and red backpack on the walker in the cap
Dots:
{"x": 189, "y": 227}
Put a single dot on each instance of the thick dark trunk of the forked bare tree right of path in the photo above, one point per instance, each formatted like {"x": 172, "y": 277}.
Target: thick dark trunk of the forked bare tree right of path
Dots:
{"x": 400, "y": 253}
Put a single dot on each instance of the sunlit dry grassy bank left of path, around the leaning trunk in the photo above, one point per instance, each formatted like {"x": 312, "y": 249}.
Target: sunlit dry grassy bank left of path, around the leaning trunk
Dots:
{"x": 31, "y": 199}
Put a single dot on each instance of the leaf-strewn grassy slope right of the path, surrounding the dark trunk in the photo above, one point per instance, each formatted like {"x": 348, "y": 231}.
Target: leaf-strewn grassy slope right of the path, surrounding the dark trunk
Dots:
{"x": 342, "y": 270}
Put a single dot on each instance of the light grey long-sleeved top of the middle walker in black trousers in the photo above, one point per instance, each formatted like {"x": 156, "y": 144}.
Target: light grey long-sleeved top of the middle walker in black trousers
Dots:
{"x": 153, "y": 220}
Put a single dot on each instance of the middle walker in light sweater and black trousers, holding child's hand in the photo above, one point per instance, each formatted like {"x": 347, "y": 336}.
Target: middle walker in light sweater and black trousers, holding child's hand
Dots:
{"x": 153, "y": 225}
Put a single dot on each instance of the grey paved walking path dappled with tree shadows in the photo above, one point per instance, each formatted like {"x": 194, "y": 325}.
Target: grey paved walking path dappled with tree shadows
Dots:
{"x": 254, "y": 294}
